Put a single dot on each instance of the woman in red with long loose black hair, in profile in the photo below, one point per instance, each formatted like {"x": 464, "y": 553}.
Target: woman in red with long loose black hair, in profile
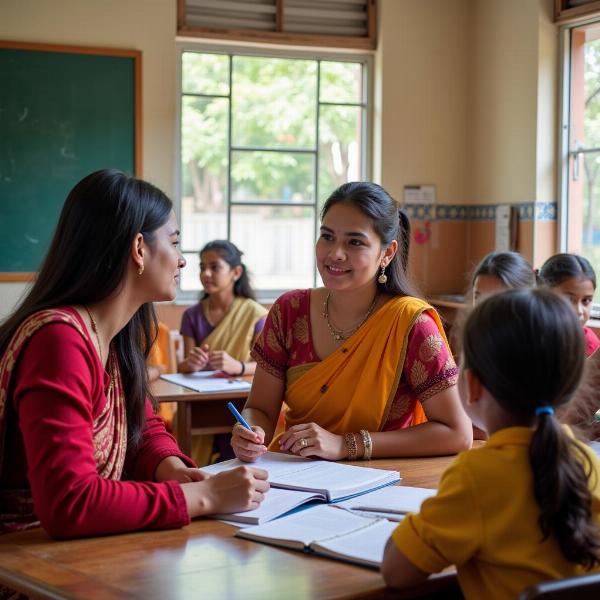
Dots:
{"x": 81, "y": 450}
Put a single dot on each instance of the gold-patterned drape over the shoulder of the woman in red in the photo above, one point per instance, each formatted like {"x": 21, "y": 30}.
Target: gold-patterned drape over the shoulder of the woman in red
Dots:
{"x": 109, "y": 428}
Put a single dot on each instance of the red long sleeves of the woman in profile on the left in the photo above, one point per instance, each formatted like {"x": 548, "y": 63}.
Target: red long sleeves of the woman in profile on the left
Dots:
{"x": 58, "y": 389}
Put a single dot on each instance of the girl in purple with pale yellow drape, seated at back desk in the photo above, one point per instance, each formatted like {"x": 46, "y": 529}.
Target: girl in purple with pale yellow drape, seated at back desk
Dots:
{"x": 218, "y": 332}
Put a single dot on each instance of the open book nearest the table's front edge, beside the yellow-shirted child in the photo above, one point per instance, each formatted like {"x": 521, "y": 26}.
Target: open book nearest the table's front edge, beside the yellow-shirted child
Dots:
{"x": 327, "y": 531}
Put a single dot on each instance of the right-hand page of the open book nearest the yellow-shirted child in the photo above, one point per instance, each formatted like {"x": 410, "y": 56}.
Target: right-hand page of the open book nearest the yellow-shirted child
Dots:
{"x": 365, "y": 546}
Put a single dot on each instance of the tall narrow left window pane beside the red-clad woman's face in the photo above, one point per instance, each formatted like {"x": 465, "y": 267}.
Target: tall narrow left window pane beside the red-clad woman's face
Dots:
{"x": 204, "y": 170}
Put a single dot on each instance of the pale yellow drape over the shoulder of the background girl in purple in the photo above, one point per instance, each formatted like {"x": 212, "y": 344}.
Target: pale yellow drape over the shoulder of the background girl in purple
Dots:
{"x": 235, "y": 332}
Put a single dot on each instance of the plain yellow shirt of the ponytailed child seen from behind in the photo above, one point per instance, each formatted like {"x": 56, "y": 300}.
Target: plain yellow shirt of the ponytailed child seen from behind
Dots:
{"x": 484, "y": 520}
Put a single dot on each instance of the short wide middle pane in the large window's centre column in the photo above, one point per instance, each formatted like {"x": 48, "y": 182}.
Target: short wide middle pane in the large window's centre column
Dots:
{"x": 272, "y": 177}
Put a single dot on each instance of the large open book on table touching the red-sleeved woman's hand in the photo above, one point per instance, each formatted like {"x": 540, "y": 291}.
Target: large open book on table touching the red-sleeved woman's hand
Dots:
{"x": 296, "y": 481}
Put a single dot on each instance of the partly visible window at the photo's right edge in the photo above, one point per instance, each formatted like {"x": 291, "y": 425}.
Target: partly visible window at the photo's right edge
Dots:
{"x": 580, "y": 214}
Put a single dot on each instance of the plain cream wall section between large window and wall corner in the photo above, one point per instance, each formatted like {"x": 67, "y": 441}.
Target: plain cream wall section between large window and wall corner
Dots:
{"x": 422, "y": 98}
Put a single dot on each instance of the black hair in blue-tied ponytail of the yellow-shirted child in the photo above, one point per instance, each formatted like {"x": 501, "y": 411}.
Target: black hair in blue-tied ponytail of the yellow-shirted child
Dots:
{"x": 498, "y": 339}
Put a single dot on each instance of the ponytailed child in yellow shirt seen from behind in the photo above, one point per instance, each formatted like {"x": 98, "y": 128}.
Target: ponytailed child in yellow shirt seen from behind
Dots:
{"x": 525, "y": 507}
